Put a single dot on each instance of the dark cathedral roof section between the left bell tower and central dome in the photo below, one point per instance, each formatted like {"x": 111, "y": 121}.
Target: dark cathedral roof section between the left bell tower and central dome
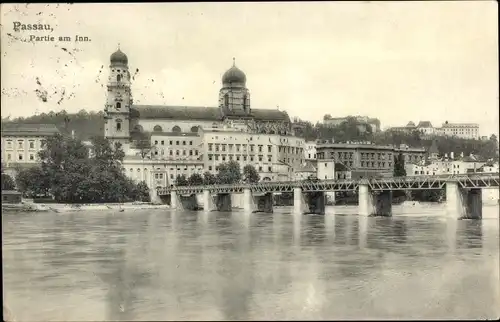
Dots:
{"x": 176, "y": 112}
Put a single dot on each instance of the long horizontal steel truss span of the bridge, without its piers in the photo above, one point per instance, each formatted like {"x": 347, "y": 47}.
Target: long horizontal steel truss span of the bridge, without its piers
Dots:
{"x": 484, "y": 180}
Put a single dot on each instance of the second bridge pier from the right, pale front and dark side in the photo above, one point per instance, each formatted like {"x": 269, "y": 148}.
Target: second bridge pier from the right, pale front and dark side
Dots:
{"x": 374, "y": 204}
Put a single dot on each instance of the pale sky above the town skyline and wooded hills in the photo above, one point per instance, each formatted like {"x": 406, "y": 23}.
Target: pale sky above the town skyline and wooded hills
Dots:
{"x": 397, "y": 61}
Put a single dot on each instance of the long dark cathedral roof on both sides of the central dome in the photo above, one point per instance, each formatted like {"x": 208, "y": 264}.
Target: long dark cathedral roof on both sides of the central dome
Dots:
{"x": 200, "y": 113}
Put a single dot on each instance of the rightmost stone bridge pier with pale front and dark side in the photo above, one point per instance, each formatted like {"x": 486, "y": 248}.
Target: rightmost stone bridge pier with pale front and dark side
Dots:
{"x": 463, "y": 203}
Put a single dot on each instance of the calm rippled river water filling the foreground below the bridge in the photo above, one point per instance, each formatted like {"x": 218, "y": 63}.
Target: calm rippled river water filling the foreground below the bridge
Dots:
{"x": 167, "y": 265}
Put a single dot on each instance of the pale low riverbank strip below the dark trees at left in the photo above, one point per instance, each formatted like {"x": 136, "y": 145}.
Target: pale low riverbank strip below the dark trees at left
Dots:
{"x": 65, "y": 208}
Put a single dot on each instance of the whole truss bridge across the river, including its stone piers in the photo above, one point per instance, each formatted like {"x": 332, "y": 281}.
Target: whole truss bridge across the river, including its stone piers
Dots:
{"x": 463, "y": 193}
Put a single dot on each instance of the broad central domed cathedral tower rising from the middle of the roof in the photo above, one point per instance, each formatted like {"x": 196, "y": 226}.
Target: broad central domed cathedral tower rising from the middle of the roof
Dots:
{"x": 234, "y": 97}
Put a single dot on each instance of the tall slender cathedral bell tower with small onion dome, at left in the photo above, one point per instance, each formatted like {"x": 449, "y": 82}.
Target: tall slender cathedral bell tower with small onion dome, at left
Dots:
{"x": 118, "y": 101}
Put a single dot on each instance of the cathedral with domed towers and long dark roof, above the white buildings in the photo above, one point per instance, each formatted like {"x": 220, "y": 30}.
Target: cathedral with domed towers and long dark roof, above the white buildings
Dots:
{"x": 124, "y": 119}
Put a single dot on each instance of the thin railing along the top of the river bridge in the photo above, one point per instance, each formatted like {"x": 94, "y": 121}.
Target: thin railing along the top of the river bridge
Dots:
{"x": 301, "y": 183}
